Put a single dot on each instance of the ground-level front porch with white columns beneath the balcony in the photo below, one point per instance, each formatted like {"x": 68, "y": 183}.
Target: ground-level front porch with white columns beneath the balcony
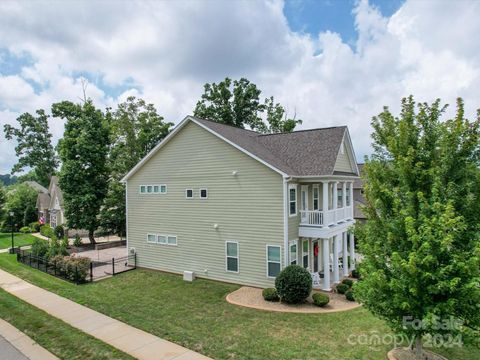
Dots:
{"x": 328, "y": 260}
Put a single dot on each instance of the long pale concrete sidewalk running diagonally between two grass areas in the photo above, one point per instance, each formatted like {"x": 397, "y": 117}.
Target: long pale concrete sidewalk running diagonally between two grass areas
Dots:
{"x": 126, "y": 338}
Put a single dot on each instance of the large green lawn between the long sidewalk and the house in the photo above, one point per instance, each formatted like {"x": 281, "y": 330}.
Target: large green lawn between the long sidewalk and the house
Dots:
{"x": 197, "y": 316}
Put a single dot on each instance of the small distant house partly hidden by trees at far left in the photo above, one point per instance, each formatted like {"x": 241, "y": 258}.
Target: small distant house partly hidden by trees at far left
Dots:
{"x": 50, "y": 204}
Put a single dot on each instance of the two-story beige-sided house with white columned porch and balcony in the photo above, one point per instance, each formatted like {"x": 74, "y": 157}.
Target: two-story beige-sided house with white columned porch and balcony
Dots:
{"x": 234, "y": 205}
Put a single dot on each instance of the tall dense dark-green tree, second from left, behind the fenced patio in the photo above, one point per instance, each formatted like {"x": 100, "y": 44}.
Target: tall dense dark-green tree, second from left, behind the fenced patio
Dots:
{"x": 84, "y": 173}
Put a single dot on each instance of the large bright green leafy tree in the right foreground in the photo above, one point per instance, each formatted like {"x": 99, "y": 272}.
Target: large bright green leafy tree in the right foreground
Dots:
{"x": 420, "y": 244}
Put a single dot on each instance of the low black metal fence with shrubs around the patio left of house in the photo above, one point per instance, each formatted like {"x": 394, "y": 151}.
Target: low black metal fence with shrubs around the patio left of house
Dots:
{"x": 78, "y": 272}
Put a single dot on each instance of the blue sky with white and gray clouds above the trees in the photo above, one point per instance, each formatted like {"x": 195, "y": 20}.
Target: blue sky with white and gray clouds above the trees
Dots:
{"x": 330, "y": 62}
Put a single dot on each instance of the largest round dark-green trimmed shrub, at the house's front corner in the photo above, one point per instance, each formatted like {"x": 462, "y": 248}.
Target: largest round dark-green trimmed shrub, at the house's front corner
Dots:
{"x": 293, "y": 284}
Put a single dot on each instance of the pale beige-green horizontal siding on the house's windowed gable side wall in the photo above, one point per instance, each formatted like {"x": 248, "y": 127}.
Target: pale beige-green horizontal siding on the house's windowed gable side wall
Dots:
{"x": 248, "y": 209}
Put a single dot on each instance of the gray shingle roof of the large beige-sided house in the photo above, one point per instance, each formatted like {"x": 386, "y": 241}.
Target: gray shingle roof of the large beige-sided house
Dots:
{"x": 299, "y": 153}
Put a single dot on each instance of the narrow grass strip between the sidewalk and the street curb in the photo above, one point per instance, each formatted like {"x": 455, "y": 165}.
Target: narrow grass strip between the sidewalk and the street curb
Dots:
{"x": 54, "y": 335}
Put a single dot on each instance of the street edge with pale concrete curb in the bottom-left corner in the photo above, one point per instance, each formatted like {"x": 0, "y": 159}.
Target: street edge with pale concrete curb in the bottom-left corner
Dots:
{"x": 16, "y": 345}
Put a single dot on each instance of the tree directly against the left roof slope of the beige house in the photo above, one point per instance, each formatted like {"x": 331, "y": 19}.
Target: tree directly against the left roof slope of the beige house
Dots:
{"x": 136, "y": 128}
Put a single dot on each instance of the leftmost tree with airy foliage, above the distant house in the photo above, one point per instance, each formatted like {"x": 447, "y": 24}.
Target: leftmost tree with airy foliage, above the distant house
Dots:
{"x": 34, "y": 145}
